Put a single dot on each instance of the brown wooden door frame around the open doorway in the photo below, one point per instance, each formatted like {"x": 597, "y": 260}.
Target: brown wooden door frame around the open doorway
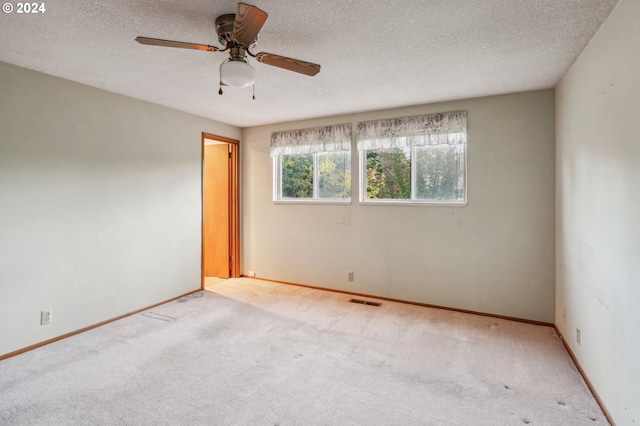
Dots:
{"x": 234, "y": 204}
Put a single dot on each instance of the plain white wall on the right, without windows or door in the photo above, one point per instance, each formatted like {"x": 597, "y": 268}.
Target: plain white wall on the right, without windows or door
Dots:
{"x": 598, "y": 210}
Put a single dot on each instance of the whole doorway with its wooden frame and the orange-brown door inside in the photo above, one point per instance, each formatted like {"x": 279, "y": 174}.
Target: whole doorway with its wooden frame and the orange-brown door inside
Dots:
{"x": 220, "y": 207}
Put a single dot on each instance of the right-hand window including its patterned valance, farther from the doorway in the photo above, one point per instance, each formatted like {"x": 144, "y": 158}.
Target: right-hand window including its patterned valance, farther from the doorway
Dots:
{"x": 419, "y": 159}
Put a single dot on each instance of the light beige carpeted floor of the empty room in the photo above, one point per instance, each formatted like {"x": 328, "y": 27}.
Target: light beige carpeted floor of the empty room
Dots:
{"x": 249, "y": 352}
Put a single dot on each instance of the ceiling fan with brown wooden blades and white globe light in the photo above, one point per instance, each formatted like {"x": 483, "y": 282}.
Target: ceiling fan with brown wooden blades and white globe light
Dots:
{"x": 238, "y": 33}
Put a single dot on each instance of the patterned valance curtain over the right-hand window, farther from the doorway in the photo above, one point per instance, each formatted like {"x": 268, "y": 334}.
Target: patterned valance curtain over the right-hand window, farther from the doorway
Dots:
{"x": 447, "y": 128}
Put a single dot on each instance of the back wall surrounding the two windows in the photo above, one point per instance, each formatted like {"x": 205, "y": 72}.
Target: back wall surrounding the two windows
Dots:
{"x": 494, "y": 255}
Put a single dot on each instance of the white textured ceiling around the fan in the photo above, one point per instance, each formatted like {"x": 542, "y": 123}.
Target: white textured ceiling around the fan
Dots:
{"x": 374, "y": 54}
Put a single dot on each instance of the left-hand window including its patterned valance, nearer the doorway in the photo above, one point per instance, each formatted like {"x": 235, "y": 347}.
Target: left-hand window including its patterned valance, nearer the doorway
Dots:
{"x": 312, "y": 164}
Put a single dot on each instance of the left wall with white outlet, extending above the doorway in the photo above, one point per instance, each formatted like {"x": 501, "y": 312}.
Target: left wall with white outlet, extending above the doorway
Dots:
{"x": 100, "y": 205}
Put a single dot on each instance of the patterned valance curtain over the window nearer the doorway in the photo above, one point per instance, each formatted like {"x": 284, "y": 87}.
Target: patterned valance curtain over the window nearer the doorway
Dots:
{"x": 307, "y": 141}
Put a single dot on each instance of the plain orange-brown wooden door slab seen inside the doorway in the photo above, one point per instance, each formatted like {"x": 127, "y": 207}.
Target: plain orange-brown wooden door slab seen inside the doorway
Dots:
{"x": 217, "y": 201}
